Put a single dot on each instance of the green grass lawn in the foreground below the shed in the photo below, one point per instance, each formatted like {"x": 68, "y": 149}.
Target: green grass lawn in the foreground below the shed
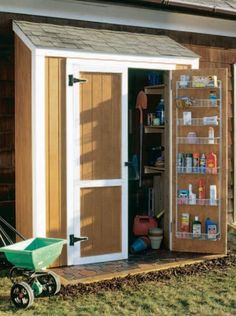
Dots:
{"x": 209, "y": 293}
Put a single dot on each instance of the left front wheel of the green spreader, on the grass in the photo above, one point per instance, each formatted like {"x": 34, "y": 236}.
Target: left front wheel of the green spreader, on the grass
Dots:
{"x": 22, "y": 295}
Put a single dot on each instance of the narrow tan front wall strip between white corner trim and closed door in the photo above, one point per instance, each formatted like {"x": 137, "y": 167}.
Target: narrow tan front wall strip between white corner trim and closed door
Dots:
{"x": 55, "y": 151}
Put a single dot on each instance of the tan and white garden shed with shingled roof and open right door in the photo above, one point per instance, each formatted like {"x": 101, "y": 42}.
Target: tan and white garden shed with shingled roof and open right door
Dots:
{"x": 75, "y": 115}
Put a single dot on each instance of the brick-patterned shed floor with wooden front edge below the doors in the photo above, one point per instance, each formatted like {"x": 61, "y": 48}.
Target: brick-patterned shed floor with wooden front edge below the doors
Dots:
{"x": 151, "y": 261}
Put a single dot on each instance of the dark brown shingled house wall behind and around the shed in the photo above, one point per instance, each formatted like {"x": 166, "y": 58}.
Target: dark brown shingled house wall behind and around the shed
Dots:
{"x": 215, "y": 51}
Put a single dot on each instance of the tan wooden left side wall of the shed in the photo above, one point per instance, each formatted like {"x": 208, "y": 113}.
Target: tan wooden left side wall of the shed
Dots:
{"x": 23, "y": 139}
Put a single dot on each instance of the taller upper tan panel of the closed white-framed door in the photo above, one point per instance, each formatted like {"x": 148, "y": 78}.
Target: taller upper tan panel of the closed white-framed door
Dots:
{"x": 100, "y": 126}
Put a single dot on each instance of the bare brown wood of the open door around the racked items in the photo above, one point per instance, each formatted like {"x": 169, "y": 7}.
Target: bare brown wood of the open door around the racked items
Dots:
{"x": 181, "y": 181}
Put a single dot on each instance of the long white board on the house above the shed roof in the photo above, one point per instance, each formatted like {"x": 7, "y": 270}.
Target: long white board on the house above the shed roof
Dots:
{"x": 121, "y": 15}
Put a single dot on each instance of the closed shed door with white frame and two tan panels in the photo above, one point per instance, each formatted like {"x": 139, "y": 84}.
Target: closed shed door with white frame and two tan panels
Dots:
{"x": 100, "y": 178}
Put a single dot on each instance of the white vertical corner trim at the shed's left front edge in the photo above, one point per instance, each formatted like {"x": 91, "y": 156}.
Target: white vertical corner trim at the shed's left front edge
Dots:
{"x": 38, "y": 146}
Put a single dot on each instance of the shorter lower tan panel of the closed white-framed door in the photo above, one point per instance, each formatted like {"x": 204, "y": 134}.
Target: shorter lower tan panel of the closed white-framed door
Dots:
{"x": 101, "y": 220}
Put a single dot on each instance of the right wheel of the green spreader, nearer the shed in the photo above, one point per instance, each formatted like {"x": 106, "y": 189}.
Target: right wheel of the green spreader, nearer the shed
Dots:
{"x": 51, "y": 282}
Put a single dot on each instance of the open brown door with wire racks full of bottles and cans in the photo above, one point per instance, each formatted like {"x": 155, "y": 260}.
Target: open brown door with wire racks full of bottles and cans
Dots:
{"x": 199, "y": 160}
